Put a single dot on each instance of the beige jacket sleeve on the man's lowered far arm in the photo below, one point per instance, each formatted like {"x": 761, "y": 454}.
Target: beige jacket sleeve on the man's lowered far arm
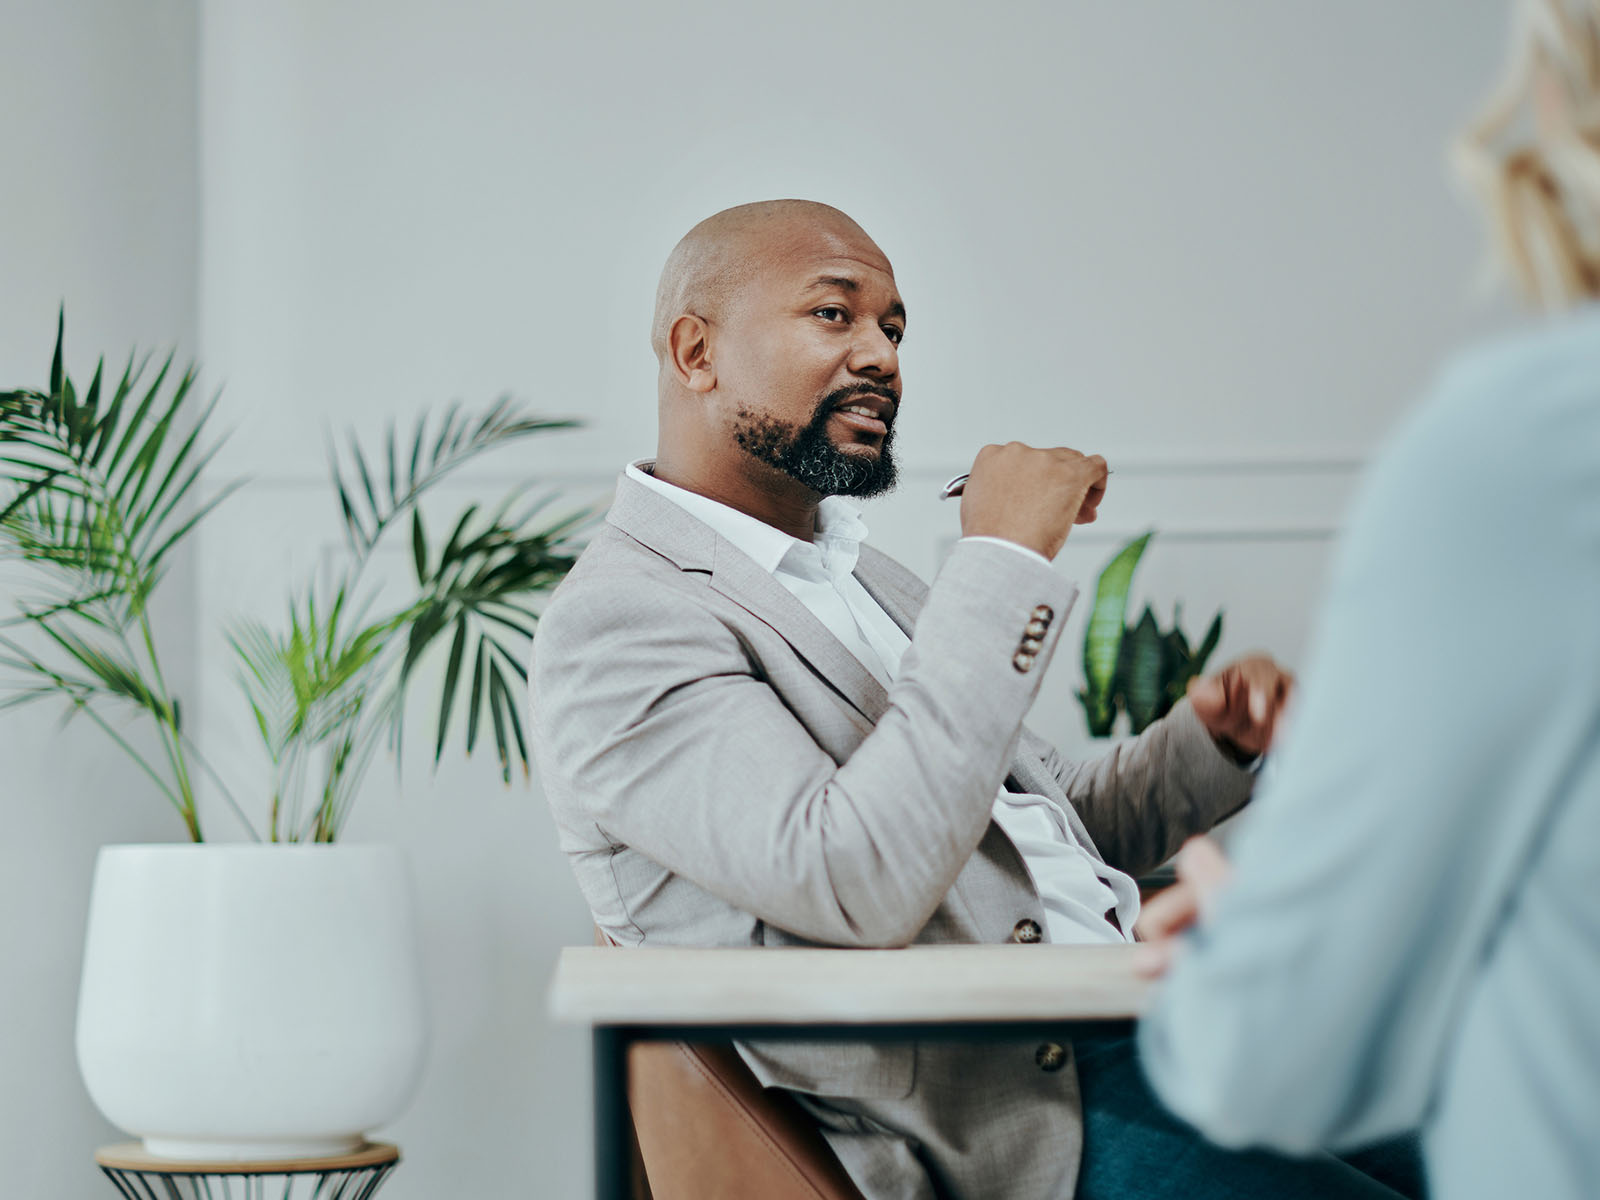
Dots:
{"x": 1145, "y": 798}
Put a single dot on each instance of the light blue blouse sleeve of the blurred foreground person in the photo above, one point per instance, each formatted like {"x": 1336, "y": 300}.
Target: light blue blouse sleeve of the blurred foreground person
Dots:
{"x": 1316, "y": 1004}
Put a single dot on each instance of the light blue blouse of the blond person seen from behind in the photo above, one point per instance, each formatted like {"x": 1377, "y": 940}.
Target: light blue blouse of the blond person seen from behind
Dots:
{"x": 1412, "y": 937}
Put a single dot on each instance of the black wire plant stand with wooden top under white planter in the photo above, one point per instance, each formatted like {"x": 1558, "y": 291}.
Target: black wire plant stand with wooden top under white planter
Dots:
{"x": 348, "y": 1177}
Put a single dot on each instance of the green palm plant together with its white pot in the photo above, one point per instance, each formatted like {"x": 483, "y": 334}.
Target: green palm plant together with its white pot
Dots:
{"x": 257, "y": 999}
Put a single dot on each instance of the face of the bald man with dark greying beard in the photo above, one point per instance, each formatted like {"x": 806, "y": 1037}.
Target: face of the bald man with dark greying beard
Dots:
{"x": 810, "y": 362}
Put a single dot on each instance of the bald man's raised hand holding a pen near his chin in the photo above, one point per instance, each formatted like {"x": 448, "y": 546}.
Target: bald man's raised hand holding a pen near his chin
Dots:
{"x": 1031, "y": 497}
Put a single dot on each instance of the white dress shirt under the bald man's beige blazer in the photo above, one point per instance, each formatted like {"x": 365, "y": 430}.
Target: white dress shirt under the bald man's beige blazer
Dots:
{"x": 1076, "y": 889}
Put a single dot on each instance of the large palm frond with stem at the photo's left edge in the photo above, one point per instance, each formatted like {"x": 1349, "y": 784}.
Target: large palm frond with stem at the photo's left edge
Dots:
{"x": 94, "y": 495}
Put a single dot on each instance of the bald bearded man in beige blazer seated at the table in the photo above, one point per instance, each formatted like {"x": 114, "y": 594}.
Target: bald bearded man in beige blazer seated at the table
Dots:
{"x": 754, "y": 730}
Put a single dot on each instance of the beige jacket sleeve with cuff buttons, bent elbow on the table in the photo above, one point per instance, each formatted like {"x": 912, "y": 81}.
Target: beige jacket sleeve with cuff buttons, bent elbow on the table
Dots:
{"x": 654, "y": 722}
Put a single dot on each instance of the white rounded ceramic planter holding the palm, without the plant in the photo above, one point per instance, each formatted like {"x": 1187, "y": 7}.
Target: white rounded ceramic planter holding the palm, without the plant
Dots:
{"x": 252, "y": 1002}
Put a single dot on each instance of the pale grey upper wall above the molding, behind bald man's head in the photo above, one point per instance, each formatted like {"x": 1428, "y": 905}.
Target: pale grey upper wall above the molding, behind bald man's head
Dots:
{"x": 1156, "y": 228}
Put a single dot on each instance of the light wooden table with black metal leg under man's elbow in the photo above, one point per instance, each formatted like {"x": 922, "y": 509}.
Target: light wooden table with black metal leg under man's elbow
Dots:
{"x": 927, "y": 993}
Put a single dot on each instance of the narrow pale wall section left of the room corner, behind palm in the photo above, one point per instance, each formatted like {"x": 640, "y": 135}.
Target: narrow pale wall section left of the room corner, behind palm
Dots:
{"x": 98, "y": 210}
